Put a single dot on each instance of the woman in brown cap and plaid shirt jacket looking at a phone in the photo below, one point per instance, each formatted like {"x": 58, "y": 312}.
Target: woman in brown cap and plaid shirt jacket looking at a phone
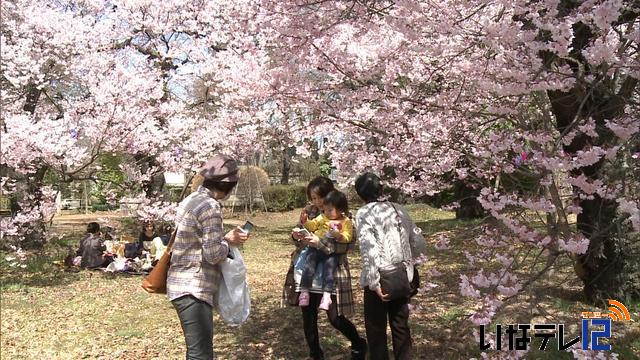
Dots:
{"x": 200, "y": 245}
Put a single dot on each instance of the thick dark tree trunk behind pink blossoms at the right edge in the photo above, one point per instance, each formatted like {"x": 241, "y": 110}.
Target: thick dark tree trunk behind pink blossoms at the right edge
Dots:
{"x": 607, "y": 269}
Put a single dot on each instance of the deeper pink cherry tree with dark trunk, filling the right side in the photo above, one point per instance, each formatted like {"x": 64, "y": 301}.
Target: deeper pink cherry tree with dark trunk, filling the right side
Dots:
{"x": 498, "y": 93}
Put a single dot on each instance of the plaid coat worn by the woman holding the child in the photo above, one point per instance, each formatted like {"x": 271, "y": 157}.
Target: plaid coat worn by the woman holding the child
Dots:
{"x": 344, "y": 291}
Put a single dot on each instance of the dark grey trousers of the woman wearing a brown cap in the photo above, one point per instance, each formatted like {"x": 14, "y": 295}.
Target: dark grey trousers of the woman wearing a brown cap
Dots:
{"x": 196, "y": 318}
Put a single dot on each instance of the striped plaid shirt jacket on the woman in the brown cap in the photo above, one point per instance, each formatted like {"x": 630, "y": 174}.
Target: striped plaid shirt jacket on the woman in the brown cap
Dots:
{"x": 198, "y": 248}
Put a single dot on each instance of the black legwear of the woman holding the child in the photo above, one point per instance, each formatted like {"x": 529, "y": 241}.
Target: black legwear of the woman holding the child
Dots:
{"x": 310, "y": 324}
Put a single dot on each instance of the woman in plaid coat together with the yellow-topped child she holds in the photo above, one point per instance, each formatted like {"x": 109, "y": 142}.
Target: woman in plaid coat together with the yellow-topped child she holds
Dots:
{"x": 329, "y": 227}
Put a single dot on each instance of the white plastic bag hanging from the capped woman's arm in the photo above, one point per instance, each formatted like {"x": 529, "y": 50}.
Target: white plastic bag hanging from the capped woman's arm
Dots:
{"x": 234, "y": 302}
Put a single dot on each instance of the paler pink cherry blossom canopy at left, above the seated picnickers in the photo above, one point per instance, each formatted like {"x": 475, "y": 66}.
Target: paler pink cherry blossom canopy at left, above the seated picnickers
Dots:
{"x": 82, "y": 79}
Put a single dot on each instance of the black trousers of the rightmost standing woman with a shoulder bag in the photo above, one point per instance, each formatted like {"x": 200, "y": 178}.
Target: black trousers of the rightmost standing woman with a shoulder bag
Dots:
{"x": 376, "y": 313}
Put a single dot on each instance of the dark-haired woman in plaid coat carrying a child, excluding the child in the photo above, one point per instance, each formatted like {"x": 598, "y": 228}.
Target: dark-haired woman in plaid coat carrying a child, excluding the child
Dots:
{"x": 342, "y": 302}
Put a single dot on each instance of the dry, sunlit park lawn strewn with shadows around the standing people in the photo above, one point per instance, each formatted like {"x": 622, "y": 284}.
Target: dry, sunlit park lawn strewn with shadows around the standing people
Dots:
{"x": 48, "y": 313}
